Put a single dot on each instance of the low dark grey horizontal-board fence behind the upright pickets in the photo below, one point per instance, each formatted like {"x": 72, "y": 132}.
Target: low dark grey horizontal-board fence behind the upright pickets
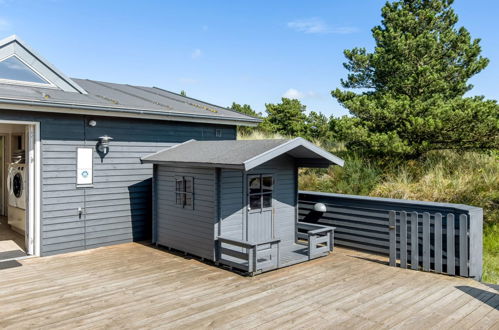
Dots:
{"x": 363, "y": 223}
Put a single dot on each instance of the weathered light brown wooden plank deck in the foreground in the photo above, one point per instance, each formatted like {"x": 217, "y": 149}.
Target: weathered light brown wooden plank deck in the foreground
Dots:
{"x": 137, "y": 286}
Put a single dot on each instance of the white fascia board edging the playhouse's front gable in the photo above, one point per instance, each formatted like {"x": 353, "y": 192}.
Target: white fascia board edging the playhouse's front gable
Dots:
{"x": 288, "y": 146}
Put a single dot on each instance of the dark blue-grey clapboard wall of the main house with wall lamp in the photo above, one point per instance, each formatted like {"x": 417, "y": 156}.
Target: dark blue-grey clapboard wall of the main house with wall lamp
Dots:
{"x": 117, "y": 208}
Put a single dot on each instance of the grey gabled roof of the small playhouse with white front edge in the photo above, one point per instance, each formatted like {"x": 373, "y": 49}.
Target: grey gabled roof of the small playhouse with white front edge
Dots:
{"x": 243, "y": 154}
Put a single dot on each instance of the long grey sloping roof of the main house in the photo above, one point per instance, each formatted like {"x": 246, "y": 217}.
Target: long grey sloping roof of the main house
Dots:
{"x": 103, "y": 95}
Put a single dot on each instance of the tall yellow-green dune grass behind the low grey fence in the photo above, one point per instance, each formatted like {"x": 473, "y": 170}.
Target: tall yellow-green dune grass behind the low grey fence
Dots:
{"x": 442, "y": 176}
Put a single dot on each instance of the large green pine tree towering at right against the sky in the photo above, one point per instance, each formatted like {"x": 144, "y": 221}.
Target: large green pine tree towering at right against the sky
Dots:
{"x": 413, "y": 86}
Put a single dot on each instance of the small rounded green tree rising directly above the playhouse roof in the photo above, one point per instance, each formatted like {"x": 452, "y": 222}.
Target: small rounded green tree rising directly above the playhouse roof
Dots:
{"x": 286, "y": 118}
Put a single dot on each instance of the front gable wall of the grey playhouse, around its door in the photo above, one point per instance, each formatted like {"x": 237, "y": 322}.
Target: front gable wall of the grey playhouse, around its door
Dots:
{"x": 233, "y": 199}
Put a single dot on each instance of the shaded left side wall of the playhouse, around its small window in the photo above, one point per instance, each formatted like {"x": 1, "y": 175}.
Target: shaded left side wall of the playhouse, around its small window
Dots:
{"x": 185, "y": 229}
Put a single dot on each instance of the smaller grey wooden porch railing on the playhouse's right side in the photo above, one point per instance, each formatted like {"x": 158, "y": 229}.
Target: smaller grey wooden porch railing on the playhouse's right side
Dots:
{"x": 320, "y": 238}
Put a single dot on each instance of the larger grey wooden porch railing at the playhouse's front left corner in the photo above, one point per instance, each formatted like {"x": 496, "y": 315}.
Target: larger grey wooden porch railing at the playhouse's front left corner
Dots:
{"x": 252, "y": 257}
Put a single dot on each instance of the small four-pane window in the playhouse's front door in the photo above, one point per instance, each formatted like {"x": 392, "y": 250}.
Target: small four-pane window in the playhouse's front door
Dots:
{"x": 260, "y": 188}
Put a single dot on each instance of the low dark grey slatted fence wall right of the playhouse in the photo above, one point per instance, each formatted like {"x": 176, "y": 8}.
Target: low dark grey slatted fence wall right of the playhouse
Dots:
{"x": 363, "y": 223}
